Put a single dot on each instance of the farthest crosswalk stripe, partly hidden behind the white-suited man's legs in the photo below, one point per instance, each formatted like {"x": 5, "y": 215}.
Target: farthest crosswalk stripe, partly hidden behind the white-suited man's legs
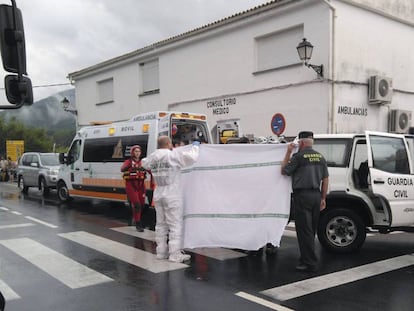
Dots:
{"x": 218, "y": 253}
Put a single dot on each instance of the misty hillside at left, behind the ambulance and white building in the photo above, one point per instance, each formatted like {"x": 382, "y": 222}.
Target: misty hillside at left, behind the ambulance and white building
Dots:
{"x": 46, "y": 113}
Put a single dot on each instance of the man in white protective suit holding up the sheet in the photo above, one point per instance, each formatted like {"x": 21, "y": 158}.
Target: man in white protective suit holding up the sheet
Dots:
{"x": 165, "y": 164}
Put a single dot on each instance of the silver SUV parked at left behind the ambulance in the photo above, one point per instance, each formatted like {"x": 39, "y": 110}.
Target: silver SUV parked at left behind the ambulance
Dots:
{"x": 39, "y": 170}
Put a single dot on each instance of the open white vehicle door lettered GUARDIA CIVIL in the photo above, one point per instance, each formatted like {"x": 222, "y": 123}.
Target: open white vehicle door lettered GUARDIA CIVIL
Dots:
{"x": 391, "y": 175}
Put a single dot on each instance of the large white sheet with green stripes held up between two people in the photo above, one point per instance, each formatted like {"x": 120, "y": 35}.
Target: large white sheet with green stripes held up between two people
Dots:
{"x": 236, "y": 197}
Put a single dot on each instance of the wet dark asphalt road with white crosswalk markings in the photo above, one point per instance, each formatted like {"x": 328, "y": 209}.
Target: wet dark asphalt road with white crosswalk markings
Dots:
{"x": 83, "y": 256}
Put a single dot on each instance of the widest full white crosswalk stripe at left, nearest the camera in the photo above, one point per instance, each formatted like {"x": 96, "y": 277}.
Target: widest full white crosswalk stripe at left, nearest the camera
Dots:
{"x": 62, "y": 268}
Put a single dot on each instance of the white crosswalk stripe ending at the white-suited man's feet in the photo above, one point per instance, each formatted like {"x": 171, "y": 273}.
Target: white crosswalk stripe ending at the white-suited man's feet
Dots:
{"x": 132, "y": 255}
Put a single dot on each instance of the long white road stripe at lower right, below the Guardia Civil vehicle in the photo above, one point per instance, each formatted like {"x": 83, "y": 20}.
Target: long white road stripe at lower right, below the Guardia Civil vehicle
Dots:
{"x": 308, "y": 286}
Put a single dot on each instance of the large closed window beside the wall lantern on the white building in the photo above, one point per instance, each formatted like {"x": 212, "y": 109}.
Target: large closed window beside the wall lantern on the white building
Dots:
{"x": 278, "y": 49}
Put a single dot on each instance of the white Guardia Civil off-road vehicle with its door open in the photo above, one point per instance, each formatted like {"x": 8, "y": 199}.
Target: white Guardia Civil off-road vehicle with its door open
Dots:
{"x": 371, "y": 187}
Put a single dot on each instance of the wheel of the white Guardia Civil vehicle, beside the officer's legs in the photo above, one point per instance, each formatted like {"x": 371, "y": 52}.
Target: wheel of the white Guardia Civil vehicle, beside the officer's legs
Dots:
{"x": 341, "y": 230}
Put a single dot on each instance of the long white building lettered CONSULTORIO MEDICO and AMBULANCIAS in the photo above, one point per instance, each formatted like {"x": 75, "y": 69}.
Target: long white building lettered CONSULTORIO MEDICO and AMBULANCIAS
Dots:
{"x": 246, "y": 66}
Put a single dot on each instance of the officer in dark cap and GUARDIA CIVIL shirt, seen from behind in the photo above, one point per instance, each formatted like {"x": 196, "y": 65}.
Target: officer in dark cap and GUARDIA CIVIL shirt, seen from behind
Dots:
{"x": 310, "y": 179}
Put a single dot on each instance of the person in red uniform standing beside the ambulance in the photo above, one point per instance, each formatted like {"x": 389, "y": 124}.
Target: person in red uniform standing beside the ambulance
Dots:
{"x": 134, "y": 175}
